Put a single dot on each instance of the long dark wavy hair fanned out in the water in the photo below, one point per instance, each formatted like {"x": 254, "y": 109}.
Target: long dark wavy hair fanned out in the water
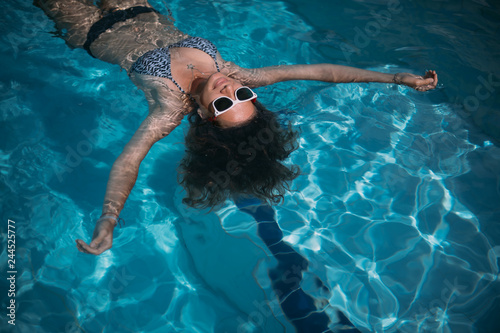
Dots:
{"x": 247, "y": 160}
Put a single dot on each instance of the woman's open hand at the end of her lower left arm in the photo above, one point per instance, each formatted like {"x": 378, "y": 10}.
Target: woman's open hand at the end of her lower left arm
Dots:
{"x": 102, "y": 238}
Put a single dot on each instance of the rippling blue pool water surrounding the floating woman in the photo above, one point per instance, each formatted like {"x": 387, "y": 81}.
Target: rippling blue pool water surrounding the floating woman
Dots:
{"x": 393, "y": 225}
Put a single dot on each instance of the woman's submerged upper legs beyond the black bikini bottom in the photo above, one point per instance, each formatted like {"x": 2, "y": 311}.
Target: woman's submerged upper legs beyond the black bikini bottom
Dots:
{"x": 72, "y": 17}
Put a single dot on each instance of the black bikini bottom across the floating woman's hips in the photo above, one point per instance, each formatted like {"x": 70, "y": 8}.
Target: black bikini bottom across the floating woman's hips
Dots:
{"x": 110, "y": 19}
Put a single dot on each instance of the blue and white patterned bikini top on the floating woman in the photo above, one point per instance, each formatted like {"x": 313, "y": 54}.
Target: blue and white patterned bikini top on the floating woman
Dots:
{"x": 157, "y": 62}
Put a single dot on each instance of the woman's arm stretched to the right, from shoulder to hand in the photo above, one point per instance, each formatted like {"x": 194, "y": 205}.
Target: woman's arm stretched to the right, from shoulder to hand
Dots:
{"x": 327, "y": 73}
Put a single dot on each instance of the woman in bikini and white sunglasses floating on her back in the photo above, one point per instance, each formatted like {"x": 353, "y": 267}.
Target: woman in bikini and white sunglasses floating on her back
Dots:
{"x": 234, "y": 145}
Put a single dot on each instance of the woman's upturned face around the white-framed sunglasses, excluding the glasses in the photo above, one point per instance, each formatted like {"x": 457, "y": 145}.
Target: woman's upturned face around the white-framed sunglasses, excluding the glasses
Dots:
{"x": 218, "y": 85}
